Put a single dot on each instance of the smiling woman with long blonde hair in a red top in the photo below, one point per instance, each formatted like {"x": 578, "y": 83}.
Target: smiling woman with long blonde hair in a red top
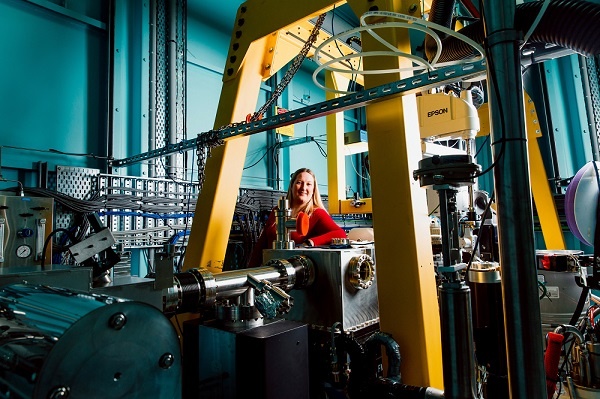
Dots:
{"x": 303, "y": 195}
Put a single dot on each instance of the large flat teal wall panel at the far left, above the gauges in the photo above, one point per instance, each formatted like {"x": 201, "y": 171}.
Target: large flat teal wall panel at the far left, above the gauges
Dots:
{"x": 52, "y": 84}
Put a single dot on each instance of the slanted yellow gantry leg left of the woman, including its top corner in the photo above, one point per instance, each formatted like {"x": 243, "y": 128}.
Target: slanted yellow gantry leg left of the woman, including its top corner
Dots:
{"x": 255, "y": 53}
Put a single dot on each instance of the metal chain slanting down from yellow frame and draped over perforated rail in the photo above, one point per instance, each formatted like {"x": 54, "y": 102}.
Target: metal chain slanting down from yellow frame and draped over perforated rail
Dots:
{"x": 209, "y": 140}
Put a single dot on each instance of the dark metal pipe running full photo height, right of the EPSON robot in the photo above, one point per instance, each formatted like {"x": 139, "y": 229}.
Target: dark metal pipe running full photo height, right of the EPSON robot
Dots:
{"x": 513, "y": 192}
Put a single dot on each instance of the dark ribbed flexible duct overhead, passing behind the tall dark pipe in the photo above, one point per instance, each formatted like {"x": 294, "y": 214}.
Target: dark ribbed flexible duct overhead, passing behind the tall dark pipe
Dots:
{"x": 566, "y": 23}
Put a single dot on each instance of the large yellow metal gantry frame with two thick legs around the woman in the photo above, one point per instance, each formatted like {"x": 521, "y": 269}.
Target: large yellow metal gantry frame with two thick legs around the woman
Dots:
{"x": 407, "y": 291}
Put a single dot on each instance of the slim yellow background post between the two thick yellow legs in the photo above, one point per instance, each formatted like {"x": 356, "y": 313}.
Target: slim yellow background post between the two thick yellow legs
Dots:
{"x": 336, "y": 176}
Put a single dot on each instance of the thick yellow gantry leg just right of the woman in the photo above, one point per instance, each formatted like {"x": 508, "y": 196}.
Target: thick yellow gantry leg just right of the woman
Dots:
{"x": 406, "y": 280}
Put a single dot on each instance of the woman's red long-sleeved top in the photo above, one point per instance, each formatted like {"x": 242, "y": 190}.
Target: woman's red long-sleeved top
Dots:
{"x": 322, "y": 228}
